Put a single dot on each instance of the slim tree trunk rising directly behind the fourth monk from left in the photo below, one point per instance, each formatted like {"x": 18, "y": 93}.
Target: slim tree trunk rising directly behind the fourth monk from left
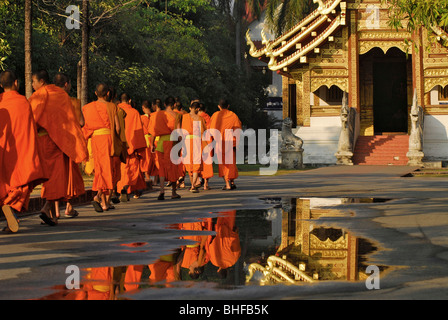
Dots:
{"x": 85, "y": 53}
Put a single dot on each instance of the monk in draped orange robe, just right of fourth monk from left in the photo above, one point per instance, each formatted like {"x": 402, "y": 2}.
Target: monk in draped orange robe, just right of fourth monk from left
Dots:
{"x": 132, "y": 179}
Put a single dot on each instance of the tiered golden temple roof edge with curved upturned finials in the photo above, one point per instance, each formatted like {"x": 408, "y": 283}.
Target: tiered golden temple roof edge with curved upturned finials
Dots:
{"x": 305, "y": 37}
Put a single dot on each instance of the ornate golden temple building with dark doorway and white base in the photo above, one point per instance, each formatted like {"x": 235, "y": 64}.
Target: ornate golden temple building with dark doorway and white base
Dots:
{"x": 347, "y": 48}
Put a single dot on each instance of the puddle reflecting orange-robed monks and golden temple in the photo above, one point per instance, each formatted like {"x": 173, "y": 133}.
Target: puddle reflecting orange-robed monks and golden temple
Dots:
{"x": 280, "y": 245}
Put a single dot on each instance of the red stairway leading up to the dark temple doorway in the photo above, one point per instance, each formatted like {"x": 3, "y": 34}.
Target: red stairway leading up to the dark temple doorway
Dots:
{"x": 381, "y": 150}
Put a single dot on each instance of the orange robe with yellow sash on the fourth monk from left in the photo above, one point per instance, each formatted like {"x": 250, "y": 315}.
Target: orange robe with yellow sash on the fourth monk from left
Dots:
{"x": 98, "y": 128}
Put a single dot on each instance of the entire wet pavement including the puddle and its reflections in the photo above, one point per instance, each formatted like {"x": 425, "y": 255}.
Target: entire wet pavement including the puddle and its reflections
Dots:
{"x": 331, "y": 233}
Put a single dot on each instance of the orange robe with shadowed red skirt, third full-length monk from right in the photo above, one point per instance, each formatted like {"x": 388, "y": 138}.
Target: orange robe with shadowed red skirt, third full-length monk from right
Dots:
{"x": 161, "y": 124}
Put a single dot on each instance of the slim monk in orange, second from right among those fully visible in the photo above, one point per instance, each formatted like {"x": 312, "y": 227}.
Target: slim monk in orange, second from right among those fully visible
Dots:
{"x": 195, "y": 126}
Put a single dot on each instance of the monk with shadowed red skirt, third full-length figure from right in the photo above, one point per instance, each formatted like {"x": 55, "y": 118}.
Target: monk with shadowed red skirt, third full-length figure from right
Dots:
{"x": 161, "y": 124}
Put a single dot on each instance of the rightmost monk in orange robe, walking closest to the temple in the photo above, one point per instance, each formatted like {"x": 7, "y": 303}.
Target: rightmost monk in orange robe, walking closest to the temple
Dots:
{"x": 223, "y": 120}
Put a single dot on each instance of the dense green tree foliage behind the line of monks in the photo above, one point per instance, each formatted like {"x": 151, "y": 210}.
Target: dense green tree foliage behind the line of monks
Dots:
{"x": 150, "y": 49}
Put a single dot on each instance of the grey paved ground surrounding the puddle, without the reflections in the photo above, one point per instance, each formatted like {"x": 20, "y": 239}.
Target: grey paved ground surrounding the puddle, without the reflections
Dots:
{"x": 411, "y": 232}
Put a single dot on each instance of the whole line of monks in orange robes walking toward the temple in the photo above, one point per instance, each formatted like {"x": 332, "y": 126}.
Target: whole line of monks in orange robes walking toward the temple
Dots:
{"x": 49, "y": 139}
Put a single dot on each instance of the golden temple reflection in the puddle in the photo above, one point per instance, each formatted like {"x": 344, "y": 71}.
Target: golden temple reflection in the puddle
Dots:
{"x": 309, "y": 252}
